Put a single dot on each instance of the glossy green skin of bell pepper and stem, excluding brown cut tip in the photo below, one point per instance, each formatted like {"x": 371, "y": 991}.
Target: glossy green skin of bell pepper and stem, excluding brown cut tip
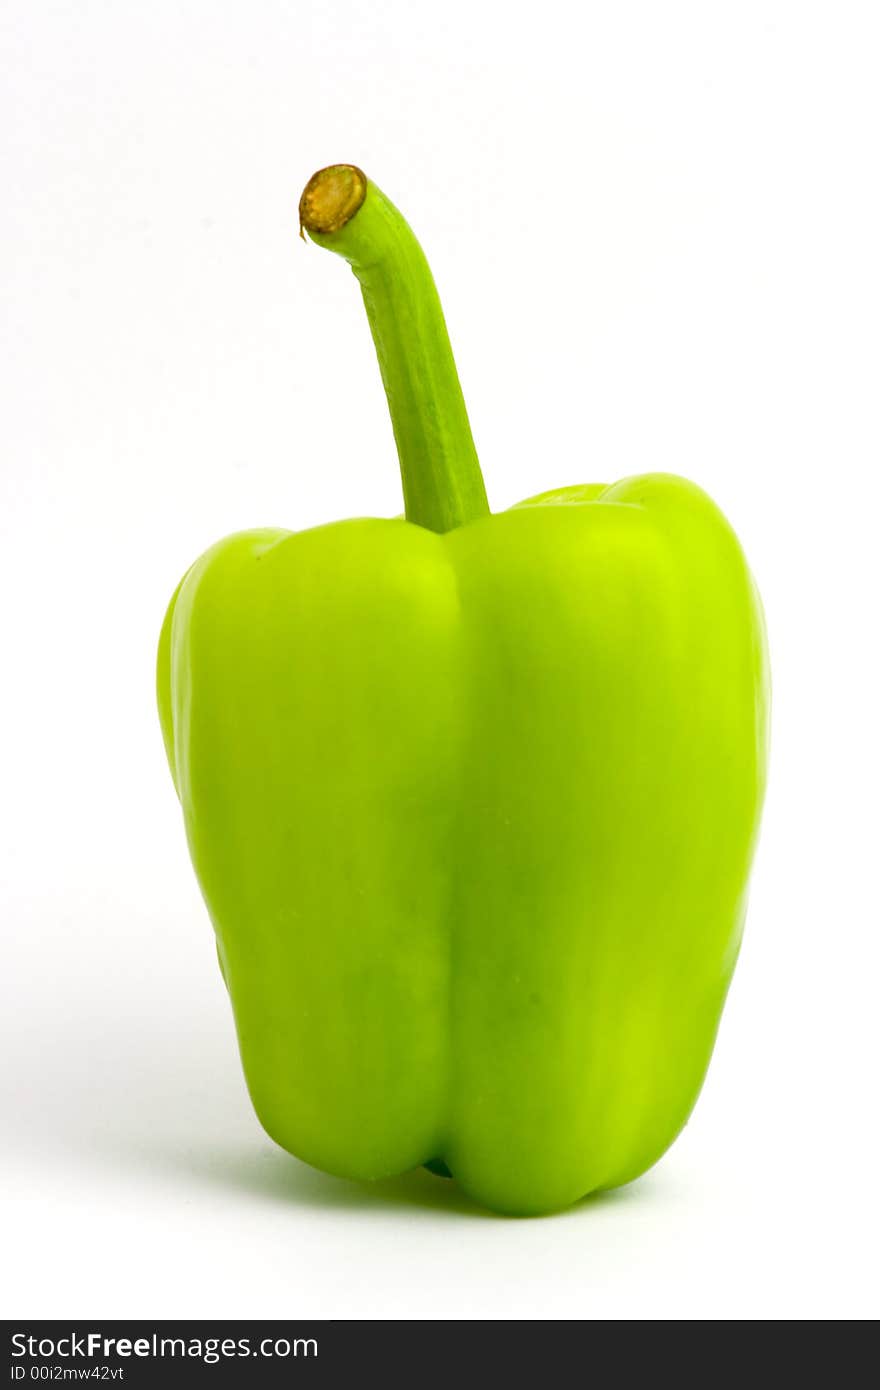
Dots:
{"x": 472, "y": 804}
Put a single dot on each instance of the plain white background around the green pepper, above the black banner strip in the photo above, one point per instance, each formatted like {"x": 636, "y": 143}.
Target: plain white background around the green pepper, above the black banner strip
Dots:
{"x": 657, "y": 231}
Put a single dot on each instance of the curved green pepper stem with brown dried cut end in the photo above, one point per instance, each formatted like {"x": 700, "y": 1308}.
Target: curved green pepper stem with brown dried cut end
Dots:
{"x": 347, "y": 213}
